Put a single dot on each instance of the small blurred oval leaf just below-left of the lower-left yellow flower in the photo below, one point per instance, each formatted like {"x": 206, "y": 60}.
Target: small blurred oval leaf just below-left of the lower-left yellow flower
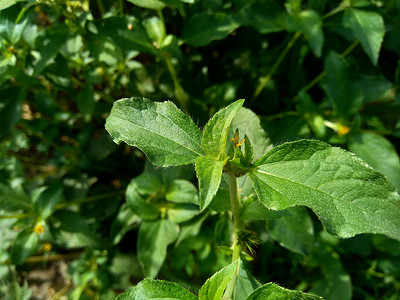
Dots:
{"x": 26, "y": 243}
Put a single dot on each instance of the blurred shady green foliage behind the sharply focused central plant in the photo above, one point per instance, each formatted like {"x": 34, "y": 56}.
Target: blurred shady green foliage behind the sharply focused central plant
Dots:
{"x": 328, "y": 70}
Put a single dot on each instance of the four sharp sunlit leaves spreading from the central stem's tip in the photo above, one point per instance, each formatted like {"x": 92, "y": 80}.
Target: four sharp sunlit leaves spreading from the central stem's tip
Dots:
{"x": 346, "y": 194}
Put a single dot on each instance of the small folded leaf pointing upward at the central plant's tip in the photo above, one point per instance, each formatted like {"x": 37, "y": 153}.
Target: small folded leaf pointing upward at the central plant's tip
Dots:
{"x": 216, "y": 130}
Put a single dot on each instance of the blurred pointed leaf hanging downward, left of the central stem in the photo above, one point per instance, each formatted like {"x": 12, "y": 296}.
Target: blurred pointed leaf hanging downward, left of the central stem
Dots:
{"x": 153, "y": 240}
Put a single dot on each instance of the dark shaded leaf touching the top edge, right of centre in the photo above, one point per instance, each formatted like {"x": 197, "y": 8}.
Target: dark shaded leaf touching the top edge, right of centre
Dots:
{"x": 265, "y": 17}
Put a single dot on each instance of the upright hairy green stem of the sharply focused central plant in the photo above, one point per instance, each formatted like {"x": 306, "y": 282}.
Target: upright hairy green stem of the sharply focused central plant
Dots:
{"x": 237, "y": 226}
